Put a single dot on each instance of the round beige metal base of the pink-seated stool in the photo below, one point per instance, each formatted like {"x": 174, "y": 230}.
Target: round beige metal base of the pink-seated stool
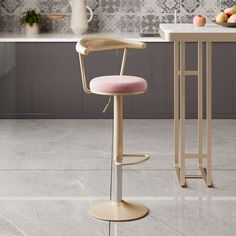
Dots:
{"x": 118, "y": 211}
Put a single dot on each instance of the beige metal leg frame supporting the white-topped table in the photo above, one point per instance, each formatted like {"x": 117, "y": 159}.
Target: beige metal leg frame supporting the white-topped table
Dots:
{"x": 179, "y": 113}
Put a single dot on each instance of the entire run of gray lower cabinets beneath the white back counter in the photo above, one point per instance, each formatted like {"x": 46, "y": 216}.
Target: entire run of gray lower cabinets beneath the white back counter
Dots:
{"x": 42, "y": 80}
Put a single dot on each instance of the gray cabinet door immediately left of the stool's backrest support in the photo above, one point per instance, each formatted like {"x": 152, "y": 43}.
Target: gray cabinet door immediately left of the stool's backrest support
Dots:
{"x": 56, "y": 86}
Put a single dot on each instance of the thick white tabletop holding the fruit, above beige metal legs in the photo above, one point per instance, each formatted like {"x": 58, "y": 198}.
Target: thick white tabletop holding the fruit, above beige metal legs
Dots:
{"x": 191, "y": 33}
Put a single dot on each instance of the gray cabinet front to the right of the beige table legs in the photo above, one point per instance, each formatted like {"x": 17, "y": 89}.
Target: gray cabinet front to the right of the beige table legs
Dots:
{"x": 223, "y": 80}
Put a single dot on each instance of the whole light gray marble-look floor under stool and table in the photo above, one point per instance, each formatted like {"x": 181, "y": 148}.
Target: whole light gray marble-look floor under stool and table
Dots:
{"x": 51, "y": 170}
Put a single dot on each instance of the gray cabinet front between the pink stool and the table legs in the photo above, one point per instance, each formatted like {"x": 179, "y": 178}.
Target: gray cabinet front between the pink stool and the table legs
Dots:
{"x": 155, "y": 64}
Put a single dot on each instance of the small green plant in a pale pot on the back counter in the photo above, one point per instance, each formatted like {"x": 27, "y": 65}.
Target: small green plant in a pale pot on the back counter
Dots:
{"x": 31, "y": 21}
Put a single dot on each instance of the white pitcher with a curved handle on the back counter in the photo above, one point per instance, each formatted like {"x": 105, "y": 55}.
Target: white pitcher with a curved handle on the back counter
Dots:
{"x": 79, "y": 20}
